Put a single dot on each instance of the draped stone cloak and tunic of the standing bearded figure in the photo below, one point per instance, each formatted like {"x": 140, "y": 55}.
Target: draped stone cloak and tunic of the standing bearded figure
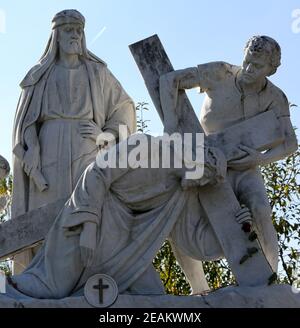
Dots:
{"x": 56, "y": 104}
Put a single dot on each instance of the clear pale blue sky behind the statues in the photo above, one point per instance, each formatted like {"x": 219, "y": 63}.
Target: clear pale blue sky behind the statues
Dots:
{"x": 192, "y": 32}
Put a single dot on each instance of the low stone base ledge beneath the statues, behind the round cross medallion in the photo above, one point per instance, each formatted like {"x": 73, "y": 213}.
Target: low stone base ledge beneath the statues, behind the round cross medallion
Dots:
{"x": 275, "y": 296}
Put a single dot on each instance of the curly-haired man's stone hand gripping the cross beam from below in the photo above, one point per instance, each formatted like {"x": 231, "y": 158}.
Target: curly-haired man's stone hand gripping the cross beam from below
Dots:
{"x": 251, "y": 159}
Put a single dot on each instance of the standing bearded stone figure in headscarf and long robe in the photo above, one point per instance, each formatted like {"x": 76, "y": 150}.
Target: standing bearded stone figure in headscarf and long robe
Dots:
{"x": 79, "y": 103}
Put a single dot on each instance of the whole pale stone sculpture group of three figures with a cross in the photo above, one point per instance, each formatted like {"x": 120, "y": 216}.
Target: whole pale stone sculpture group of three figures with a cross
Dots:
{"x": 115, "y": 219}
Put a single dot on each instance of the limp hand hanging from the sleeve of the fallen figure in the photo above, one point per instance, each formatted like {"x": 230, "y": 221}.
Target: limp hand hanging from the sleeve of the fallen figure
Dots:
{"x": 87, "y": 243}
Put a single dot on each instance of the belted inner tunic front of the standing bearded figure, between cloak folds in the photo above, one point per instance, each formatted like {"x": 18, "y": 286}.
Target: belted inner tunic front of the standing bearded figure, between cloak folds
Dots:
{"x": 64, "y": 152}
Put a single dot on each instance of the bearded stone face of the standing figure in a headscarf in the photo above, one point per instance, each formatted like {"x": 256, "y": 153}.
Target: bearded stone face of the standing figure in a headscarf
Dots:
{"x": 70, "y": 38}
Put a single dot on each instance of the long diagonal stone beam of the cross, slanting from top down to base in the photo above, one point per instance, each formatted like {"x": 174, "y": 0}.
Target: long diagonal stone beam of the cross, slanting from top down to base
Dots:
{"x": 219, "y": 202}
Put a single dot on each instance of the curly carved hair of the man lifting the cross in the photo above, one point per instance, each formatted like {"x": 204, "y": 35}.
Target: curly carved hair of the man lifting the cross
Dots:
{"x": 268, "y": 46}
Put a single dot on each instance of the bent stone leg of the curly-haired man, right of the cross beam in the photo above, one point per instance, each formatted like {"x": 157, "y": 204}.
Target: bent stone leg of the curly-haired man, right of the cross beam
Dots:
{"x": 251, "y": 192}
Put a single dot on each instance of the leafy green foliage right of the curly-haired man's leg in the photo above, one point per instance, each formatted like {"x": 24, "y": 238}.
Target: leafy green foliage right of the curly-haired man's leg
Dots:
{"x": 282, "y": 182}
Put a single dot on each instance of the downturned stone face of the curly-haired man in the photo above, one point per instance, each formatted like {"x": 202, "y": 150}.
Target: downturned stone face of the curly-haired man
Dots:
{"x": 255, "y": 67}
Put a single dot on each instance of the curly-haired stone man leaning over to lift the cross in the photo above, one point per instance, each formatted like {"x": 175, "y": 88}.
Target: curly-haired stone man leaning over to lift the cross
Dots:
{"x": 237, "y": 94}
